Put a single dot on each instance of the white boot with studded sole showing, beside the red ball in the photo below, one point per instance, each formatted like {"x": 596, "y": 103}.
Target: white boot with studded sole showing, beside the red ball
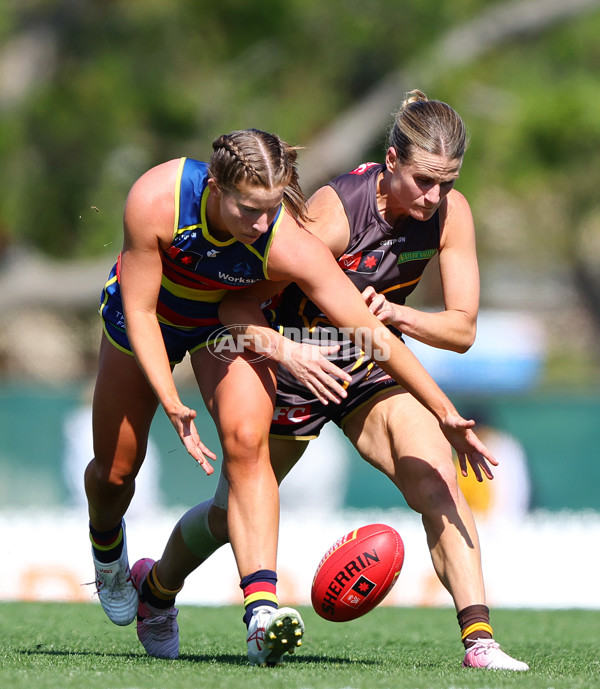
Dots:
{"x": 271, "y": 633}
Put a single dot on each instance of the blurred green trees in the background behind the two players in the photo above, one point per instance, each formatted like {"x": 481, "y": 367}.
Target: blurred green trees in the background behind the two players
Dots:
{"x": 93, "y": 92}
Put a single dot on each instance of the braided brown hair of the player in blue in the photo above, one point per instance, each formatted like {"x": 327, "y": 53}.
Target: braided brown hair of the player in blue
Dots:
{"x": 254, "y": 157}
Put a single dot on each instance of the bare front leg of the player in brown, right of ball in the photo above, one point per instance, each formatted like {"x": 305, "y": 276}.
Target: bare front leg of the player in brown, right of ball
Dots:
{"x": 402, "y": 439}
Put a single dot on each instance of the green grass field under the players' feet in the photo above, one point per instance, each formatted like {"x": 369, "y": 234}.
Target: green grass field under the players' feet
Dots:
{"x": 53, "y": 646}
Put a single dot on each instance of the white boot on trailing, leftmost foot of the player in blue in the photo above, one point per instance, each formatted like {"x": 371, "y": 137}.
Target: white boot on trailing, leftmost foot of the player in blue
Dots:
{"x": 116, "y": 592}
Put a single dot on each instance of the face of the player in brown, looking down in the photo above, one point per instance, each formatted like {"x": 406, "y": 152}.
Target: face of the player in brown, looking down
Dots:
{"x": 418, "y": 188}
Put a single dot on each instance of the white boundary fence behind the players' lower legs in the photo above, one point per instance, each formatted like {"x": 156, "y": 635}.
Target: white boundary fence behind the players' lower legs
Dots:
{"x": 539, "y": 561}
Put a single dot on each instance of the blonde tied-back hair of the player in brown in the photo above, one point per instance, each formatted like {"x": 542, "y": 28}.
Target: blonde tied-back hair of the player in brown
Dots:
{"x": 427, "y": 124}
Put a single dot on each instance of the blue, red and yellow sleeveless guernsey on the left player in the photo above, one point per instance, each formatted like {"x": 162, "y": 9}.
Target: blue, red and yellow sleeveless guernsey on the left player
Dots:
{"x": 198, "y": 270}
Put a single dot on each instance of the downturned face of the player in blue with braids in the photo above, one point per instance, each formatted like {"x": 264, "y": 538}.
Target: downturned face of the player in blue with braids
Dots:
{"x": 247, "y": 213}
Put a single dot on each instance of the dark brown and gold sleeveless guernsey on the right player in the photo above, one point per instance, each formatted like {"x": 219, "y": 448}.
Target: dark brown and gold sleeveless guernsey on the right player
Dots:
{"x": 390, "y": 258}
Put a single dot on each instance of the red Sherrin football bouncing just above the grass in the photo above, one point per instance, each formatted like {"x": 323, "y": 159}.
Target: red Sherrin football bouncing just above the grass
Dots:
{"x": 357, "y": 572}
